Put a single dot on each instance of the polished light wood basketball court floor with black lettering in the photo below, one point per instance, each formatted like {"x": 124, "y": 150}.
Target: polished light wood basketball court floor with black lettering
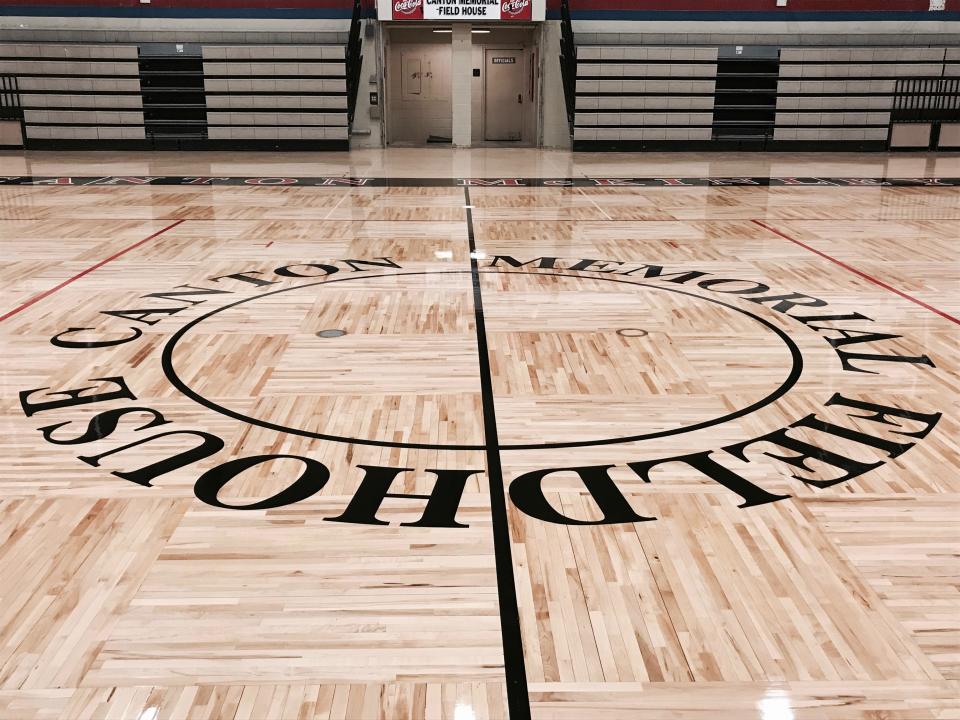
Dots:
{"x": 125, "y": 598}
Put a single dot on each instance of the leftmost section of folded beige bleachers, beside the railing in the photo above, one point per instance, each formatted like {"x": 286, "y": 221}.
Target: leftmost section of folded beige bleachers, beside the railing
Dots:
{"x": 77, "y": 92}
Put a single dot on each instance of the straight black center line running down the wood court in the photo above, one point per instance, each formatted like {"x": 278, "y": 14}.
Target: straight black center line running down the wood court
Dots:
{"x": 514, "y": 667}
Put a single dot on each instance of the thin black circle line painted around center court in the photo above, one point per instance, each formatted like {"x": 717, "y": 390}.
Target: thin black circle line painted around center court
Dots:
{"x": 795, "y": 371}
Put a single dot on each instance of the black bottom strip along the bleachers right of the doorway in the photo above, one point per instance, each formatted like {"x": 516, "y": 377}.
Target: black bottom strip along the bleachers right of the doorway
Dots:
{"x": 729, "y": 146}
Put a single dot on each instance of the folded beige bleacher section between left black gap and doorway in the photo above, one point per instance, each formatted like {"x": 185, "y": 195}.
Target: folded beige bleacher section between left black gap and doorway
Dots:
{"x": 275, "y": 92}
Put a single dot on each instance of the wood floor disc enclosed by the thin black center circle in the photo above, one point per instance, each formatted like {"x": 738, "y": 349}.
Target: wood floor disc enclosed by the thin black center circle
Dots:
{"x": 518, "y": 401}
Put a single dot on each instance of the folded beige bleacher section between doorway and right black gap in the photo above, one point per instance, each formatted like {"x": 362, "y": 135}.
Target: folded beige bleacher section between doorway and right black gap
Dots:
{"x": 630, "y": 93}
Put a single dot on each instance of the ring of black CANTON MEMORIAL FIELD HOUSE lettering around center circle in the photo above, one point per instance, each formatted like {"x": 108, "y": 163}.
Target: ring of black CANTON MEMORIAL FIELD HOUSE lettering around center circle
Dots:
{"x": 856, "y": 428}
